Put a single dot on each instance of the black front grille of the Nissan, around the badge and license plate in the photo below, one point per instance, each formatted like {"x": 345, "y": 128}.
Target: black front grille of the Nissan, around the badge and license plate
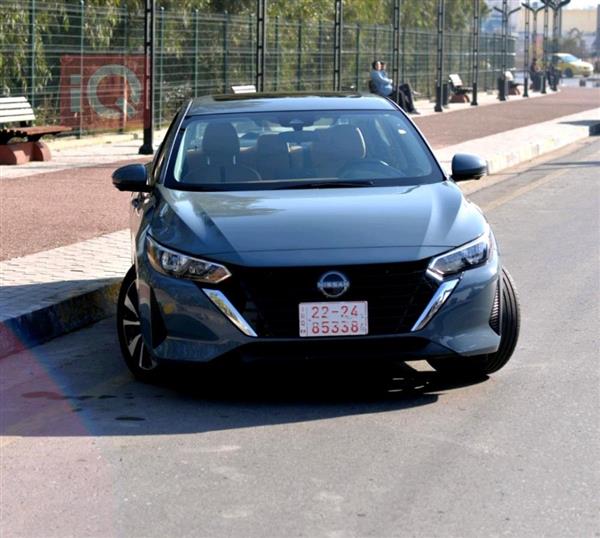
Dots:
{"x": 268, "y": 298}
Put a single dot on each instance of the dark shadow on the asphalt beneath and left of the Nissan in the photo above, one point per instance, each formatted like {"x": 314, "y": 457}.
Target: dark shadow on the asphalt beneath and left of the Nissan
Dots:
{"x": 90, "y": 398}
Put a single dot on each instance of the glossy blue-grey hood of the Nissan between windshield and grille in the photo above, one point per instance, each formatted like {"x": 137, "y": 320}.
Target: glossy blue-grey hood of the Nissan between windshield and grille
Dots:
{"x": 316, "y": 226}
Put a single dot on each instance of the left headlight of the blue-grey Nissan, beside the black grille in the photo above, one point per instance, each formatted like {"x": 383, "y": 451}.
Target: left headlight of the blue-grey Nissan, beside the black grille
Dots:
{"x": 170, "y": 262}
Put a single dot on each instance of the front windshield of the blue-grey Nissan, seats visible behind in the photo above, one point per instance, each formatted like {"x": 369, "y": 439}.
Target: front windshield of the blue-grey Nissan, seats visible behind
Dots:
{"x": 278, "y": 150}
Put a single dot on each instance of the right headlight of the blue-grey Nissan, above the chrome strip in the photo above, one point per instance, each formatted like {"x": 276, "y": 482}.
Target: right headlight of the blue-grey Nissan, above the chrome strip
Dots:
{"x": 467, "y": 256}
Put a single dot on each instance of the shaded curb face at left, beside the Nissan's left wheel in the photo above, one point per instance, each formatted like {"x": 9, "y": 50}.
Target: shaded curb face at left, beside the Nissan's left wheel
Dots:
{"x": 39, "y": 326}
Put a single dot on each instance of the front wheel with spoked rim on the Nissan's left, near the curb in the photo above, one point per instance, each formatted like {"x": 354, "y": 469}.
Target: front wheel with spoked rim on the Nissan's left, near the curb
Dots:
{"x": 135, "y": 353}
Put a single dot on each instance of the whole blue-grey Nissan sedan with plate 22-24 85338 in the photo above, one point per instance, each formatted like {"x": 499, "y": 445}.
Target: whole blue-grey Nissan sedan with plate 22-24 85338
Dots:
{"x": 309, "y": 226}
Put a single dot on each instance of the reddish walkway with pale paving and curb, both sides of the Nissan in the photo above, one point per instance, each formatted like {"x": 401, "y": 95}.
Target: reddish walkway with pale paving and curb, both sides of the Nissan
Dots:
{"x": 60, "y": 289}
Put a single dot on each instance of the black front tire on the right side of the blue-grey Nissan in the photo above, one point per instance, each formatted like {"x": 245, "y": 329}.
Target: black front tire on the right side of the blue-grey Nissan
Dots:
{"x": 509, "y": 330}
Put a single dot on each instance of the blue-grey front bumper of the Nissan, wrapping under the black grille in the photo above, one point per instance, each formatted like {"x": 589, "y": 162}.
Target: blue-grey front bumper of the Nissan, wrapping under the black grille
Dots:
{"x": 181, "y": 323}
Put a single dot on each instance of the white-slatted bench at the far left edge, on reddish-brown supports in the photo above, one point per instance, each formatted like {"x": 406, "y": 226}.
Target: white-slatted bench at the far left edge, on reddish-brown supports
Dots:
{"x": 17, "y": 110}
